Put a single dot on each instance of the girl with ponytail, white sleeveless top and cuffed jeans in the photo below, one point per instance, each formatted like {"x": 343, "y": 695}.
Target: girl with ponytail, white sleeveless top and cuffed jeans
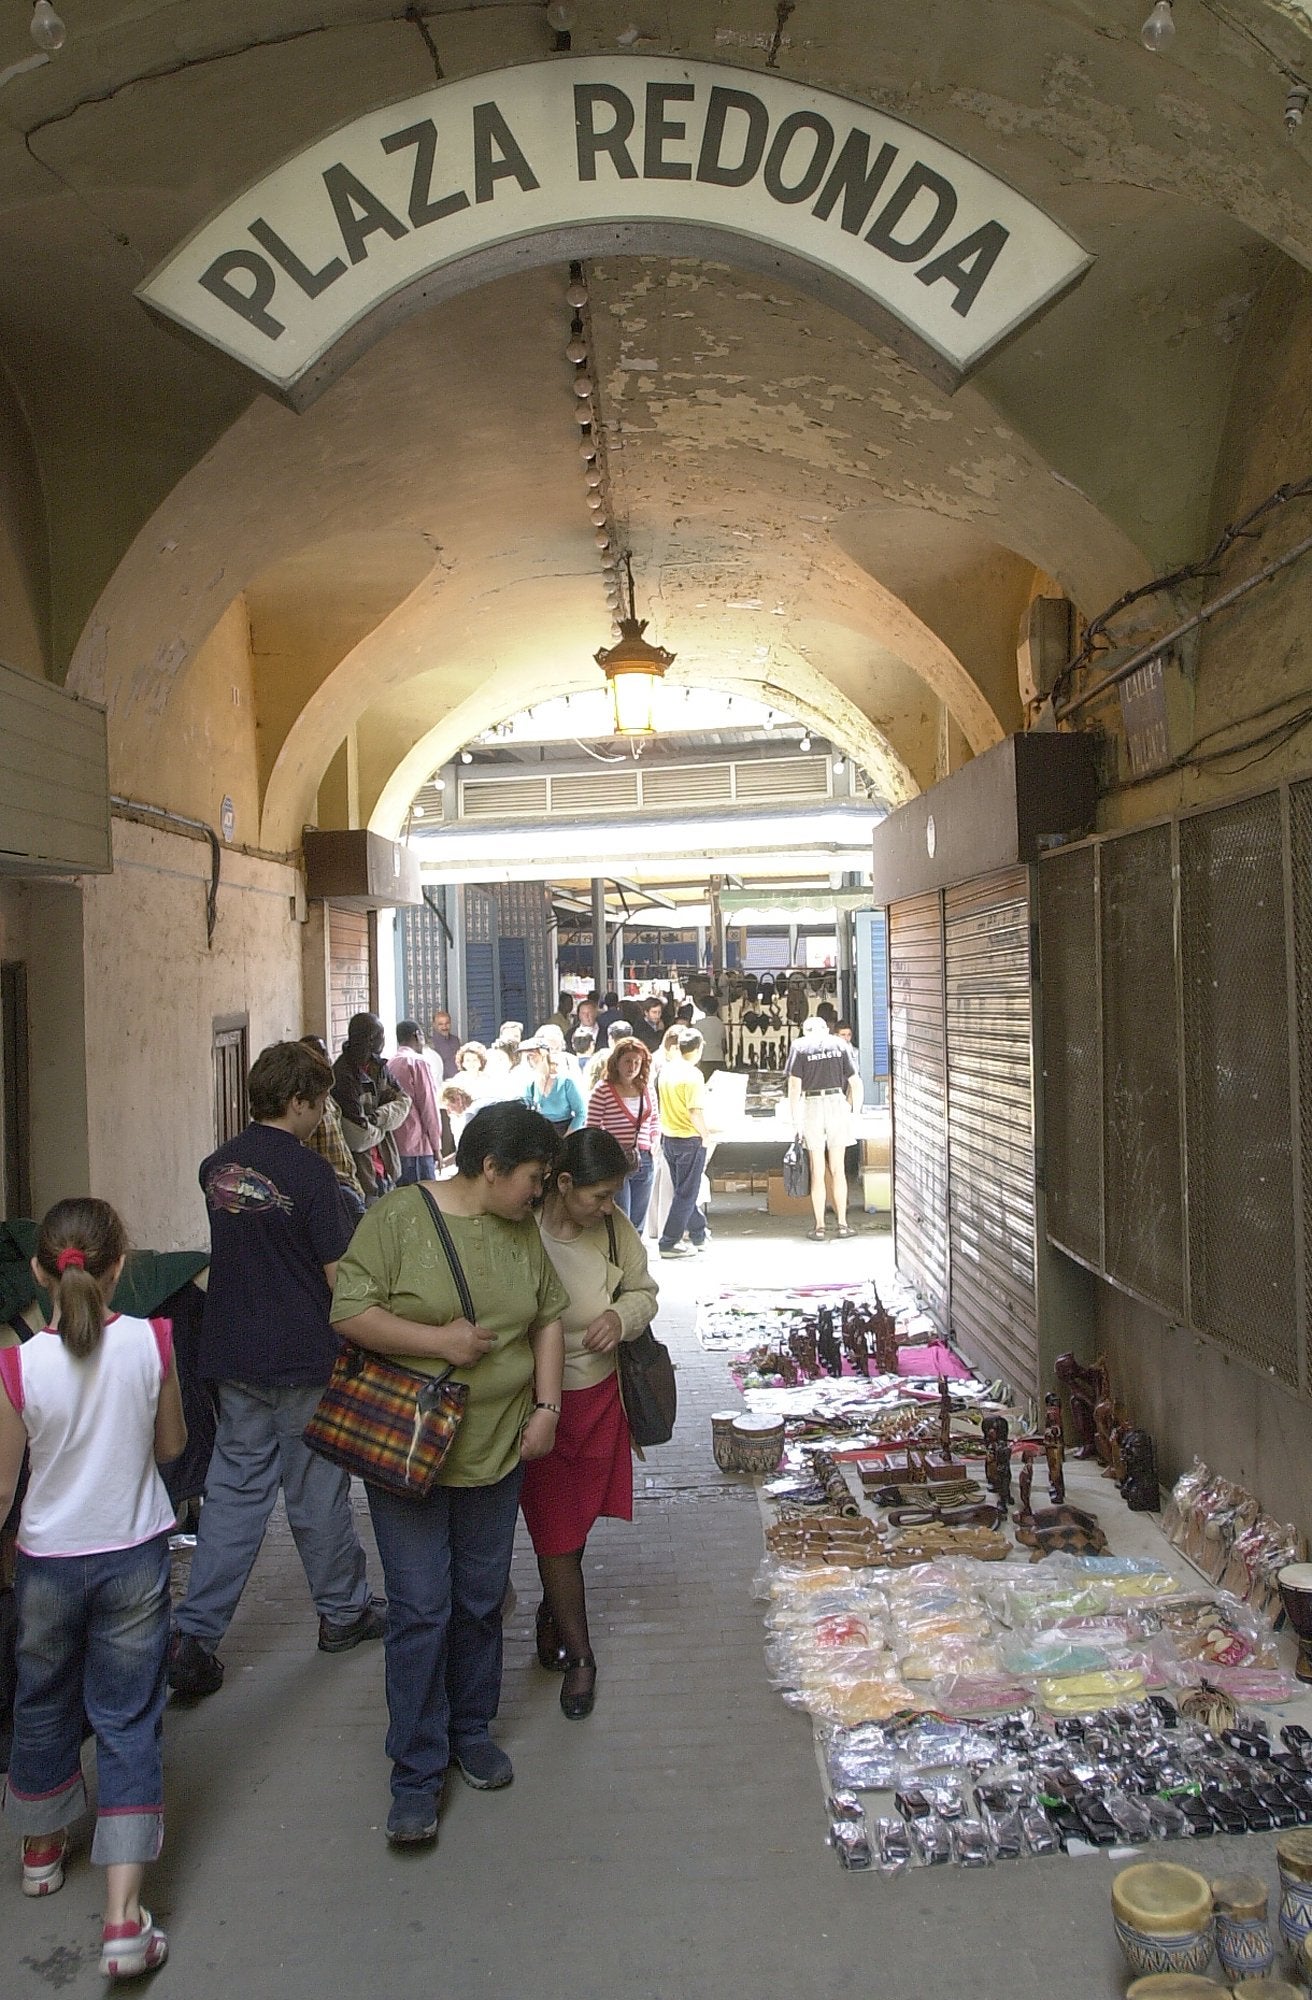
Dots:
{"x": 95, "y": 1401}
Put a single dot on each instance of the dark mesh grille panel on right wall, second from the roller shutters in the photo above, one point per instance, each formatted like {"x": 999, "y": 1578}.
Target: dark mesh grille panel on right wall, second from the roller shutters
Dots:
{"x": 1145, "y": 1223}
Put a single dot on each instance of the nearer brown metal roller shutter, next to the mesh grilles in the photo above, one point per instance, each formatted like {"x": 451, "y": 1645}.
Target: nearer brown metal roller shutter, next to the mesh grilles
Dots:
{"x": 991, "y": 1127}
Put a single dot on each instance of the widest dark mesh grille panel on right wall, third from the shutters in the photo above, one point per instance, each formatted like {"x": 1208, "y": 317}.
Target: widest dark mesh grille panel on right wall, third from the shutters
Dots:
{"x": 1237, "y": 1071}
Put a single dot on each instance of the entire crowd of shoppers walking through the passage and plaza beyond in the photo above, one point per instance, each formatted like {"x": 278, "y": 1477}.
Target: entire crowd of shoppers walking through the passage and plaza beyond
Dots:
{"x": 467, "y": 1211}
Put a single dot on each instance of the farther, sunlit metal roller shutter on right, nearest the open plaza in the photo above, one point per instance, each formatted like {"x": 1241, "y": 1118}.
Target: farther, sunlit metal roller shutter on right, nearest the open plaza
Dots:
{"x": 919, "y": 1099}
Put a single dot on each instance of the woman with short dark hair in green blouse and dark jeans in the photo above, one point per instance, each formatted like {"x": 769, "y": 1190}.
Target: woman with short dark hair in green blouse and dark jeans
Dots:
{"x": 447, "y": 1559}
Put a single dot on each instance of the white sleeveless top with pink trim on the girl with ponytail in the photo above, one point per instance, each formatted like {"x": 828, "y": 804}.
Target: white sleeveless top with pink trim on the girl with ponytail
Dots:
{"x": 93, "y": 1479}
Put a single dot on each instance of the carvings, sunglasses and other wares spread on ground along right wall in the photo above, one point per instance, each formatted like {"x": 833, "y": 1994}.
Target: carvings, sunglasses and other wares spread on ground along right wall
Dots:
{"x": 991, "y": 1671}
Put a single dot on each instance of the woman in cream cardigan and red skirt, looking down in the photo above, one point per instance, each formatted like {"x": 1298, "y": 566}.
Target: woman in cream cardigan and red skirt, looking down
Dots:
{"x": 613, "y": 1297}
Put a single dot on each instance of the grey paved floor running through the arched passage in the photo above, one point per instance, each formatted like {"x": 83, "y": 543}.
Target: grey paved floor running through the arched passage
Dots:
{"x": 669, "y": 1849}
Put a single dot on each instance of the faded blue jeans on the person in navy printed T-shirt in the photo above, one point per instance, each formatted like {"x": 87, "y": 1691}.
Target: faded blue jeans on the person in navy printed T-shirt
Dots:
{"x": 259, "y": 1447}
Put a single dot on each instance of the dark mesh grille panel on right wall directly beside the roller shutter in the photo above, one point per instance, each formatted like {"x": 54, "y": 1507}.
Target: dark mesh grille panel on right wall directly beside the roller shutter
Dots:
{"x": 1073, "y": 1053}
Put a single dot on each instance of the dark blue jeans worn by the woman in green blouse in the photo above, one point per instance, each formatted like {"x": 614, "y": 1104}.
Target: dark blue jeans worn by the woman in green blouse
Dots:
{"x": 447, "y": 1565}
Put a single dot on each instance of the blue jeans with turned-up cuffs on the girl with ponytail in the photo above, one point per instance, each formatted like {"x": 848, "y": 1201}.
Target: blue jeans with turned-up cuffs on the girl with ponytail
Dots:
{"x": 93, "y": 1635}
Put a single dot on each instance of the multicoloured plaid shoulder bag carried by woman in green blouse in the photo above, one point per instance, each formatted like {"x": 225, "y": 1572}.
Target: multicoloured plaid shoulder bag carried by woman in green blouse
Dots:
{"x": 387, "y": 1423}
